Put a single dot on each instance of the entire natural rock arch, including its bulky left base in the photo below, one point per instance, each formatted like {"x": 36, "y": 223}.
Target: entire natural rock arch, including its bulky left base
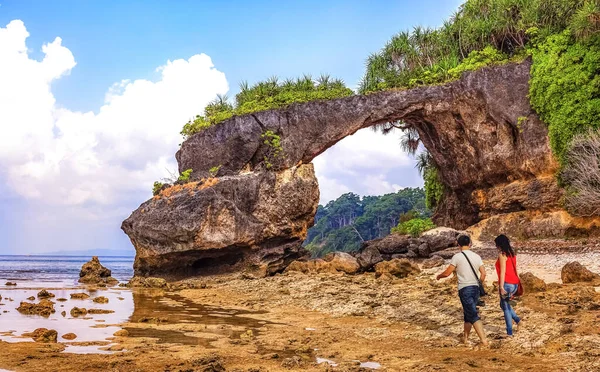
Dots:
{"x": 491, "y": 148}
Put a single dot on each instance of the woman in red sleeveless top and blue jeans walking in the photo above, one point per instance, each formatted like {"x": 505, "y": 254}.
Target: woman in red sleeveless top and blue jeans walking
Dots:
{"x": 508, "y": 280}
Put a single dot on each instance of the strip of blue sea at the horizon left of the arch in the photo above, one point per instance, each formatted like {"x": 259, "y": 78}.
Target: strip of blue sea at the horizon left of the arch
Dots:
{"x": 57, "y": 270}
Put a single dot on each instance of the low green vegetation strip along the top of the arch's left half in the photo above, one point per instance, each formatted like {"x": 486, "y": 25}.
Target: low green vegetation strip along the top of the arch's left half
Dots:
{"x": 267, "y": 95}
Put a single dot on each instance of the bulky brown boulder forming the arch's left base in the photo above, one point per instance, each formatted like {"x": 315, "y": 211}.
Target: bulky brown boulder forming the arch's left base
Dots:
{"x": 256, "y": 221}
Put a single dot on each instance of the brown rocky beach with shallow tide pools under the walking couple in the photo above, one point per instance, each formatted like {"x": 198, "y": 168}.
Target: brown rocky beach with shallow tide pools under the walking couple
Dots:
{"x": 314, "y": 323}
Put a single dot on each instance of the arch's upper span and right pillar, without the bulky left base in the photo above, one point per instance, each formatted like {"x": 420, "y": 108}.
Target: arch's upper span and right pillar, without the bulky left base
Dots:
{"x": 491, "y": 148}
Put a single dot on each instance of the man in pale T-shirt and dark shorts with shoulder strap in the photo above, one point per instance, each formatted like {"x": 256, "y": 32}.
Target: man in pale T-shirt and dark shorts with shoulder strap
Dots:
{"x": 467, "y": 264}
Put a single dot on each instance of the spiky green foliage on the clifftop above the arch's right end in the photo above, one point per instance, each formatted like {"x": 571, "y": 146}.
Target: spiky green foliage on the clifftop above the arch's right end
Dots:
{"x": 482, "y": 32}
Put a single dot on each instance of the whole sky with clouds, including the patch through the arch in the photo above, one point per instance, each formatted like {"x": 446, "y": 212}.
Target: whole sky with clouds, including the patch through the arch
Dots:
{"x": 70, "y": 188}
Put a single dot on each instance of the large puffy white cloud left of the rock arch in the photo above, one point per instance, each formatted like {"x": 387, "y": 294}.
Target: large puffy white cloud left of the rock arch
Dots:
{"x": 61, "y": 157}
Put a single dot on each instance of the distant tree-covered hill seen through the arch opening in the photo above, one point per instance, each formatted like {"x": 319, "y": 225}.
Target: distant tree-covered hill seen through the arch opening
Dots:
{"x": 343, "y": 224}
